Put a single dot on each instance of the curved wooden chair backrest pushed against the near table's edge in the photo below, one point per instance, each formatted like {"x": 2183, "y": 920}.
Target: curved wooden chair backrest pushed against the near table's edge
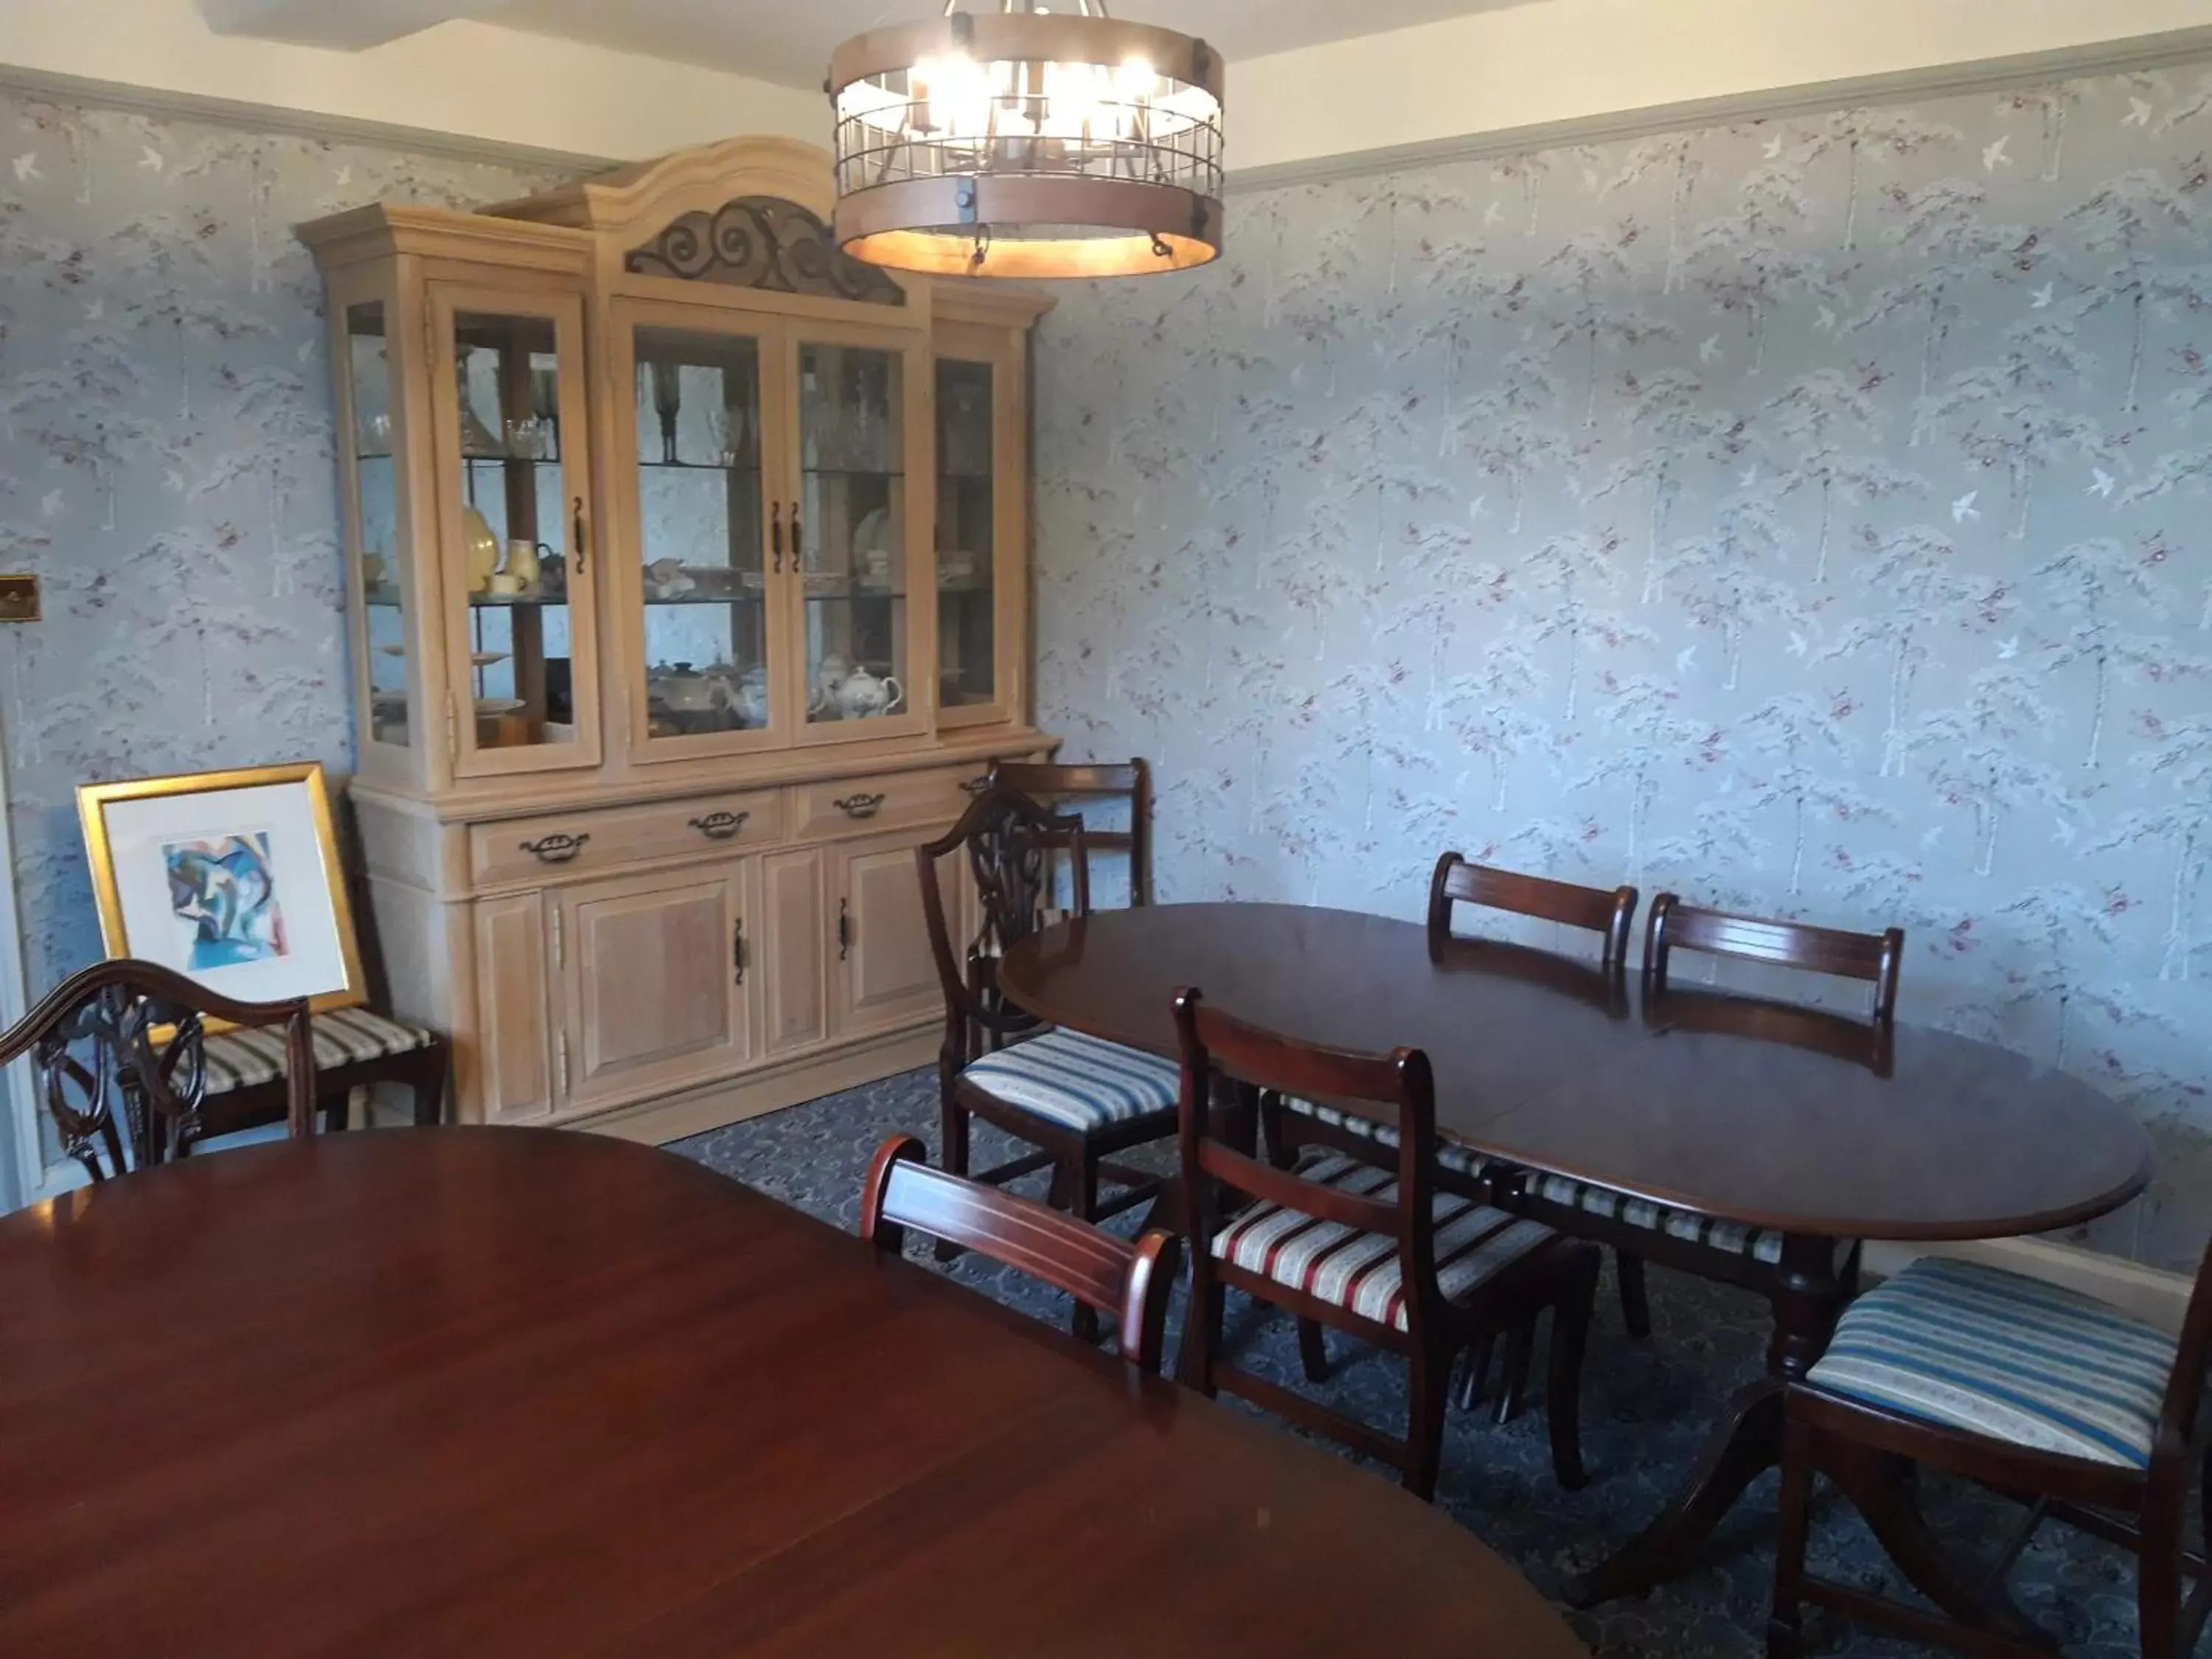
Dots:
{"x": 1127, "y": 1282}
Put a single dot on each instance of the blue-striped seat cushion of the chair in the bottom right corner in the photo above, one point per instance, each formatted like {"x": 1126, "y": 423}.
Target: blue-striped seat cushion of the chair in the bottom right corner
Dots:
{"x": 2003, "y": 1357}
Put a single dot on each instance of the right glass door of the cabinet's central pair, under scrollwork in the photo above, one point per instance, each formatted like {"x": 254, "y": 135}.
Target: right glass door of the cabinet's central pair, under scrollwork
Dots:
{"x": 851, "y": 536}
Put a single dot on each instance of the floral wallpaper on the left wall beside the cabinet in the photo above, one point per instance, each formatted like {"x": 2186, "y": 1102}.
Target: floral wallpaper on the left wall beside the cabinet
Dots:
{"x": 167, "y": 463}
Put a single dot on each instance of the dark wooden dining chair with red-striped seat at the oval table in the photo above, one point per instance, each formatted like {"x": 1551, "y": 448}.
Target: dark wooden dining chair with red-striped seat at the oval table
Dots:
{"x": 1375, "y": 1253}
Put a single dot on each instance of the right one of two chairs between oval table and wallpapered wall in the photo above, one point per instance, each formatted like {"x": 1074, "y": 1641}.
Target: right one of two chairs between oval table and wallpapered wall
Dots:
{"x": 1700, "y": 1244}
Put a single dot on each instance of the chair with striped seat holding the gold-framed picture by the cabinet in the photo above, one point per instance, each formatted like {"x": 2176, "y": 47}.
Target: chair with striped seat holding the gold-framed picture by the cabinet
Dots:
{"x": 353, "y": 1050}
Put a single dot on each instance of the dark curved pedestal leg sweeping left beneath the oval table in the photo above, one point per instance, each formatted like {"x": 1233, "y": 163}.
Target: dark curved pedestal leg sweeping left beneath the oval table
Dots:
{"x": 1746, "y": 1443}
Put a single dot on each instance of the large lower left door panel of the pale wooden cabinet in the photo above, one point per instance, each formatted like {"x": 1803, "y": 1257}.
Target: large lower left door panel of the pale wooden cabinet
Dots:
{"x": 654, "y": 981}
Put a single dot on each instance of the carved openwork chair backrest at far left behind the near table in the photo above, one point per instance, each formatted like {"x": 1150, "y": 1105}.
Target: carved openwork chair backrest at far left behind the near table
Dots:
{"x": 121, "y": 1054}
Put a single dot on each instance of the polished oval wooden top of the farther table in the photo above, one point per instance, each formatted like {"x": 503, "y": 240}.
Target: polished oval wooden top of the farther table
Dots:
{"x": 1740, "y": 1109}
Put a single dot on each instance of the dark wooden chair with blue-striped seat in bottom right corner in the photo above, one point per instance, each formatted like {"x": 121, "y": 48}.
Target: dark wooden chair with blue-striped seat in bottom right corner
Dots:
{"x": 2018, "y": 1386}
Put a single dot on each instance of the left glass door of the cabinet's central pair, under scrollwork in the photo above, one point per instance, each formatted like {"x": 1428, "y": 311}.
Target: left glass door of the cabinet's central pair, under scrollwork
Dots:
{"x": 702, "y": 536}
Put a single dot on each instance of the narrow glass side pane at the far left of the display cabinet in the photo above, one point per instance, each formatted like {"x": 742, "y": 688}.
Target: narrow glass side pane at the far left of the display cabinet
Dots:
{"x": 368, "y": 408}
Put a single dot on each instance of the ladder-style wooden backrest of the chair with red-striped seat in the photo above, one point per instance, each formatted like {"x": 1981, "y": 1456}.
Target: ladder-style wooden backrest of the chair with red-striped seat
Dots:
{"x": 1397, "y": 1085}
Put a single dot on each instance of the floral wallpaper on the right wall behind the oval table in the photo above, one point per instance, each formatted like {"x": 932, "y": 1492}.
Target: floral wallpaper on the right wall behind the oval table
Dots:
{"x": 1804, "y": 517}
